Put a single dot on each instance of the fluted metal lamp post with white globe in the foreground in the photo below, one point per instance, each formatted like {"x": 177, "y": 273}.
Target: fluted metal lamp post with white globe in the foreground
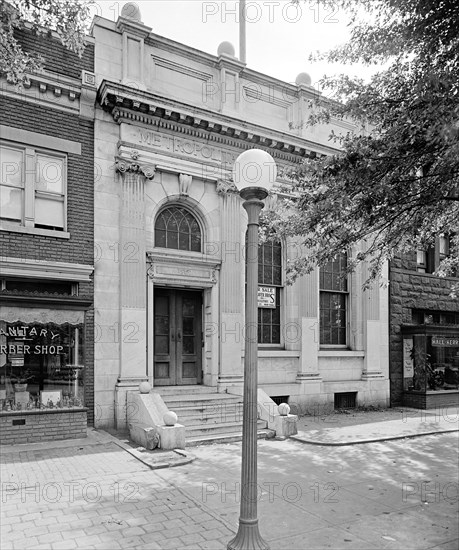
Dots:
{"x": 254, "y": 174}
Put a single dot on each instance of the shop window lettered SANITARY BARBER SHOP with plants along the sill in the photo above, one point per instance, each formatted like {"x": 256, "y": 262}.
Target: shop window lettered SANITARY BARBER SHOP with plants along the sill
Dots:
{"x": 41, "y": 365}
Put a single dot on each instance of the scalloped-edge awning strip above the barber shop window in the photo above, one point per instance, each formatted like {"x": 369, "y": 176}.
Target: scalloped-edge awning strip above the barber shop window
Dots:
{"x": 41, "y": 316}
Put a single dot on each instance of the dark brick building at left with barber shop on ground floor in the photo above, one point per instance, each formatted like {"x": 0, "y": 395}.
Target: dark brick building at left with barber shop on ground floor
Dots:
{"x": 46, "y": 246}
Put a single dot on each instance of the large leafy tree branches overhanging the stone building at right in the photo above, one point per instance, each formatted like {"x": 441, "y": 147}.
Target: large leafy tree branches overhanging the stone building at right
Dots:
{"x": 395, "y": 185}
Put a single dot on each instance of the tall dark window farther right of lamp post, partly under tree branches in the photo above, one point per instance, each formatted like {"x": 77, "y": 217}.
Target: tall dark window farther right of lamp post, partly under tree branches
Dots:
{"x": 334, "y": 302}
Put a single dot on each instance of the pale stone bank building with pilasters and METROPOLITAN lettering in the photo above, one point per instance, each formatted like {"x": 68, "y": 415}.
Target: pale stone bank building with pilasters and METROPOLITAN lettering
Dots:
{"x": 170, "y": 234}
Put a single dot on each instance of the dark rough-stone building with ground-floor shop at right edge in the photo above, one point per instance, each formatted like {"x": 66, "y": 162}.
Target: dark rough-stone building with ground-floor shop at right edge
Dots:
{"x": 424, "y": 331}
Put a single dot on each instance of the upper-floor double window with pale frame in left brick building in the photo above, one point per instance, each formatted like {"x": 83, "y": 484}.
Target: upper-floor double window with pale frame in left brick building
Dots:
{"x": 32, "y": 187}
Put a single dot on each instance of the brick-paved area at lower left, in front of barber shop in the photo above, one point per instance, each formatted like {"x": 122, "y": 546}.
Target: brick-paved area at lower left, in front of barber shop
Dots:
{"x": 94, "y": 494}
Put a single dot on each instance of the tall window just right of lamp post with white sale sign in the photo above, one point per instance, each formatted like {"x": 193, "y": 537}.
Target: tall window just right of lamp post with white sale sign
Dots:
{"x": 269, "y": 292}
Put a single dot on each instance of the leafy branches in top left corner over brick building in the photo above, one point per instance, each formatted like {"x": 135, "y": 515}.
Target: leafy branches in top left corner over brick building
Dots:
{"x": 66, "y": 18}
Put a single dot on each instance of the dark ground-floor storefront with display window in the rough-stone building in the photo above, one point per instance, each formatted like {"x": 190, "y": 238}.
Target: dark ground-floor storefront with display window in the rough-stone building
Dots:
{"x": 430, "y": 365}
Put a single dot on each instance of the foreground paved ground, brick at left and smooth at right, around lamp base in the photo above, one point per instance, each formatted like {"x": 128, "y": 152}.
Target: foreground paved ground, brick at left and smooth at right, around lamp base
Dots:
{"x": 396, "y": 494}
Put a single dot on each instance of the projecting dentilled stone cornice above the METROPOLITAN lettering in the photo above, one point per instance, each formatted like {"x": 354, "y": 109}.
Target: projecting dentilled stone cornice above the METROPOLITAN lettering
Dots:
{"x": 128, "y": 105}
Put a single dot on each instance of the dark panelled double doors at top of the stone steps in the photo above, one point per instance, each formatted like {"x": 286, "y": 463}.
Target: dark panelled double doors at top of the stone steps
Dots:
{"x": 177, "y": 337}
